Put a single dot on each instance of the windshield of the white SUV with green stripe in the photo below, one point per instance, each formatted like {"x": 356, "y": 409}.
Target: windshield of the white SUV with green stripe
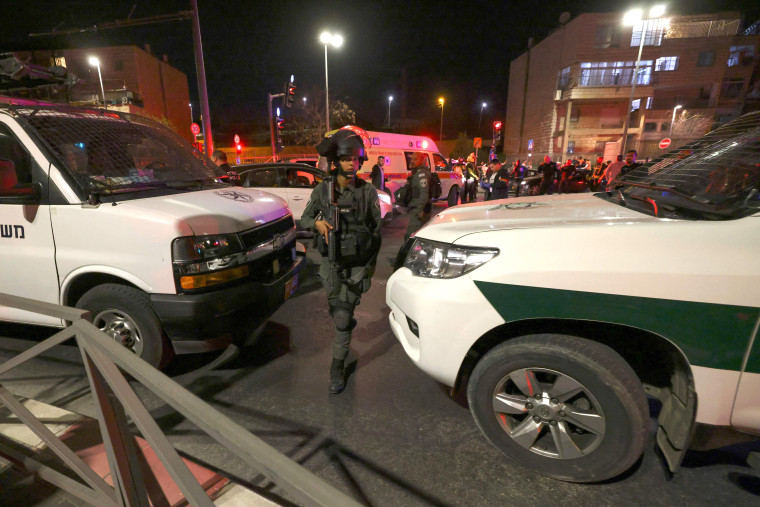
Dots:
{"x": 713, "y": 178}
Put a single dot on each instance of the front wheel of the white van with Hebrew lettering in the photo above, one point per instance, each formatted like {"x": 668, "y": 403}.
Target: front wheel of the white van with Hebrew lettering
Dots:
{"x": 125, "y": 315}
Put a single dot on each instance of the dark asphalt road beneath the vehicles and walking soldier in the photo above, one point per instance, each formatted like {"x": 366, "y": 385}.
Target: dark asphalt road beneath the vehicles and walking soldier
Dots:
{"x": 393, "y": 437}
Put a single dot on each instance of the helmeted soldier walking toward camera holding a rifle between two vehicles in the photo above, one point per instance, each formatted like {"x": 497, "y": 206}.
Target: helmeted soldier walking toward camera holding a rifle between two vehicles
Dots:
{"x": 345, "y": 212}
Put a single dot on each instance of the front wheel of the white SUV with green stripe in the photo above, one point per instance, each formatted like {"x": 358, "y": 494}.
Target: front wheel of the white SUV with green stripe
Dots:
{"x": 610, "y": 404}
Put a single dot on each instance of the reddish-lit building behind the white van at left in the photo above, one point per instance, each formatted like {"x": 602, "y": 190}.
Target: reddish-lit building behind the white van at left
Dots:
{"x": 134, "y": 81}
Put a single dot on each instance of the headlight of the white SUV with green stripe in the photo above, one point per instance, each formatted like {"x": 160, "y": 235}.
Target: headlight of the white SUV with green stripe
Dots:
{"x": 432, "y": 259}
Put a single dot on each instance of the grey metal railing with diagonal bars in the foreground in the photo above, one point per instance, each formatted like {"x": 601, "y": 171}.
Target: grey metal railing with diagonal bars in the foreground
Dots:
{"x": 106, "y": 362}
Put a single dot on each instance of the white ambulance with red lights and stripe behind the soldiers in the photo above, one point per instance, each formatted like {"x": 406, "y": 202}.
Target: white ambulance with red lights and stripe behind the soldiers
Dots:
{"x": 397, "y": 150}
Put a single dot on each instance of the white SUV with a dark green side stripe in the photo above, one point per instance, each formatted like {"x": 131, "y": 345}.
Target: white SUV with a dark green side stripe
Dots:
{"x": 566, "y": 311}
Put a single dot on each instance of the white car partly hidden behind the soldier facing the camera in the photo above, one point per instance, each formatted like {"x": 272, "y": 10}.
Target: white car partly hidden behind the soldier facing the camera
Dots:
{"x": 294, "y": 183}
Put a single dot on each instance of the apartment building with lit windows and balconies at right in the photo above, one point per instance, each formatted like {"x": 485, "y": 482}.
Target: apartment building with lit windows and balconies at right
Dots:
{"x": 569, "y": 93}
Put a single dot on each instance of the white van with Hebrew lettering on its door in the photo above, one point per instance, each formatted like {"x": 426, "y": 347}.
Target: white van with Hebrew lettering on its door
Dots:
{"x": 116, "y": 214}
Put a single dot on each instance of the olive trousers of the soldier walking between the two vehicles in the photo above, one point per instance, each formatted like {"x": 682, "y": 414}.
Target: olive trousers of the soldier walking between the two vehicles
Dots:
{"x": 342, "y": 298}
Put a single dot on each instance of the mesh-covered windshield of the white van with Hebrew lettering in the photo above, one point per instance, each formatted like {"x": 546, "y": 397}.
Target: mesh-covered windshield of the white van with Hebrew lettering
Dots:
{"x": 105, "y": 152}
